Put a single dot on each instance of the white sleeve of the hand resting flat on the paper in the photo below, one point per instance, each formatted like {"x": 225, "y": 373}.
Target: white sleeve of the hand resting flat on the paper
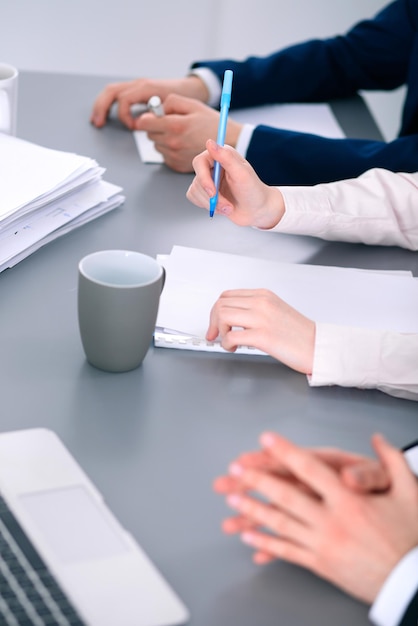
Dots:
{"x": 365, "y": 358}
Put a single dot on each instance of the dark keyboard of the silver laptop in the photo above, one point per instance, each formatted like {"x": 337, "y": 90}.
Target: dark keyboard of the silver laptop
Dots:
{"x": 29, "y": 595}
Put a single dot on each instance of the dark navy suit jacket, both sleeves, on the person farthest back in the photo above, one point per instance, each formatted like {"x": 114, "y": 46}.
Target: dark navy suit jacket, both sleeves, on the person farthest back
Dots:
{"x": 381, "y": 53}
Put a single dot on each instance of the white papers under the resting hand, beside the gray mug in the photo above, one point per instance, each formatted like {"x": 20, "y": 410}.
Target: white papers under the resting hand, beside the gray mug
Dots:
{"x": 351, "y": 297}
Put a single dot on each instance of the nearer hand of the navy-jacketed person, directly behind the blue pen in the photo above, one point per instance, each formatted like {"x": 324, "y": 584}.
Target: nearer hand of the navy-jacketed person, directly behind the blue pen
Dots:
{"x": 183, "y": 130}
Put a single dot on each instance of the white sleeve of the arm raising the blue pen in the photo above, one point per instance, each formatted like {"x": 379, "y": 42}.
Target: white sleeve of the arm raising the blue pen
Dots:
{"x": 379, "y": 207}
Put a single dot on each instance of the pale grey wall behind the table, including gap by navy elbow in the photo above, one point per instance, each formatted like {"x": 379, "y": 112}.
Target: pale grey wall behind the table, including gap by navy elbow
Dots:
{"x": 131, "y": 38}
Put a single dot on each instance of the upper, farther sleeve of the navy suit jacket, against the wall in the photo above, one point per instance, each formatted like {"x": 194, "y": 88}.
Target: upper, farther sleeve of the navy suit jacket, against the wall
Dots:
{"x": 374, "y": 54}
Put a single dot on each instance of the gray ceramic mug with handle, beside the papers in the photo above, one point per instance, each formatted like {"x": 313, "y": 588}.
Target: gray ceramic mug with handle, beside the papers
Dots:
{"x": 118, "y": 297}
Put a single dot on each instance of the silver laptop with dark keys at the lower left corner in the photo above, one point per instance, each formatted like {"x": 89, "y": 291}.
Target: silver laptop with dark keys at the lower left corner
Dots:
{"x": 64, "y": 557}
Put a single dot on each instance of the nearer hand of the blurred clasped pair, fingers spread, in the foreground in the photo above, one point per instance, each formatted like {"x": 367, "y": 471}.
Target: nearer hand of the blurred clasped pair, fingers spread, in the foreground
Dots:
{"x": 354, "y": 540}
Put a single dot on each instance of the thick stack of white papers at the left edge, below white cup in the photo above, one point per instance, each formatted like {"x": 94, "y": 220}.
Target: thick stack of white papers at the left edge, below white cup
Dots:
{"x": 44, "y": 194}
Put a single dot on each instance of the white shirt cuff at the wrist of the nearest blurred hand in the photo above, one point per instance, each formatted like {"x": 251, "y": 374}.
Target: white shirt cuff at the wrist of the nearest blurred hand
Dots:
{"x": 397, "y": 591}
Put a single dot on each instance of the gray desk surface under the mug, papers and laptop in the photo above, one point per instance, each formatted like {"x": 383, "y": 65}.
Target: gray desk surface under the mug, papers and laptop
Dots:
{"x": 154, "y": 439}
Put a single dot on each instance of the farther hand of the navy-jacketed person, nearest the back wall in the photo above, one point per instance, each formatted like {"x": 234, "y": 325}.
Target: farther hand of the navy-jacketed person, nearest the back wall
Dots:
{"x": 138, "y": 91}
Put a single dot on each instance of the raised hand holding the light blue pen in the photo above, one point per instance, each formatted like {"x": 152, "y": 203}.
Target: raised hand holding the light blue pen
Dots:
{"x": 243, "y": 197}
